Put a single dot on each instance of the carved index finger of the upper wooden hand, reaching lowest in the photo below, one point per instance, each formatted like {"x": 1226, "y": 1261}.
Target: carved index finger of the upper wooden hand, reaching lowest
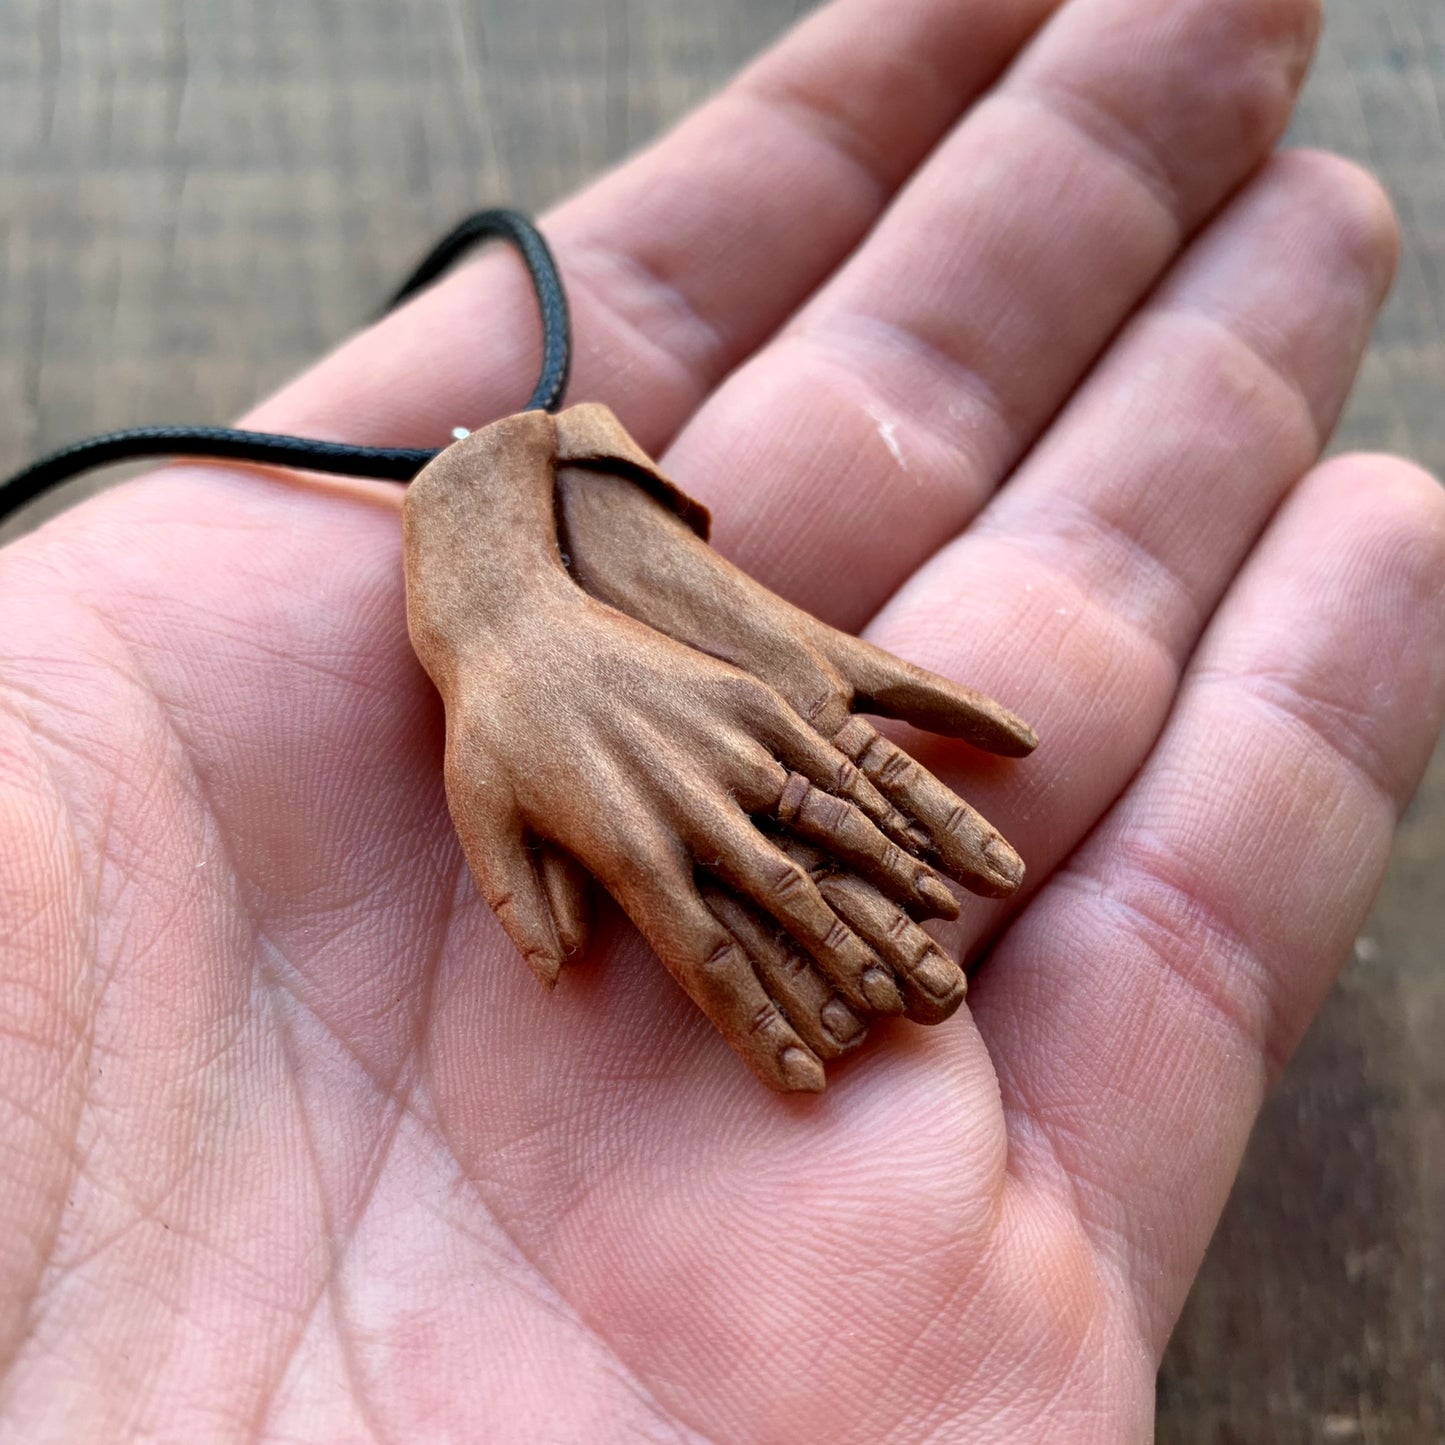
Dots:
{"x": 717, "y": 975}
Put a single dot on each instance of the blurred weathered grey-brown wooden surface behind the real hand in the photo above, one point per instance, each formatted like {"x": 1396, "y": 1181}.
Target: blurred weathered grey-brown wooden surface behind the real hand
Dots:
{"x": 199, "y": 196}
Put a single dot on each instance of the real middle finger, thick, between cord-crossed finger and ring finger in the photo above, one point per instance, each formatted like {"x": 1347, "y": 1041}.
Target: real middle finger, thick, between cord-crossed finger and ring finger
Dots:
{"x": 937, "y": 356}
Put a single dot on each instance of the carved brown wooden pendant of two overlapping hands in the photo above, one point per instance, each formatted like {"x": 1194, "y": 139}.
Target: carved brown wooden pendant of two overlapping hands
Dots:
{"x": 624, "y": 703}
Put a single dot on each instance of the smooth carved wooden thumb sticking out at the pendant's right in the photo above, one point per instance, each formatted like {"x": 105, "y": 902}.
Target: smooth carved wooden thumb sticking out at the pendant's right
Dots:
{"x": 895, "y": 689}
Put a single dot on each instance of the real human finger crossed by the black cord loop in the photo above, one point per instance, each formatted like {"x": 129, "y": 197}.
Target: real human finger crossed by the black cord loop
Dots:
{"x": 687, "y": 258}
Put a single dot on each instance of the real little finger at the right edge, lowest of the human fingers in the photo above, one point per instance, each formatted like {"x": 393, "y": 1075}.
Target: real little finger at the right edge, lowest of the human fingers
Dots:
{"x": 1168, "y": 972}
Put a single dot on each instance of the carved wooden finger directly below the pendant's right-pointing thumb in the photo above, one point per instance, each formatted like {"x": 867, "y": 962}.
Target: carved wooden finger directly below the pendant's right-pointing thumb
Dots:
{"x": 966, "y": 843}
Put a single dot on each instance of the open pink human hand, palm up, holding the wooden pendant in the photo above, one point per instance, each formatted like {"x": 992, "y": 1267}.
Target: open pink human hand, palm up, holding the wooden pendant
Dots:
{"x": 294, "y": 1149}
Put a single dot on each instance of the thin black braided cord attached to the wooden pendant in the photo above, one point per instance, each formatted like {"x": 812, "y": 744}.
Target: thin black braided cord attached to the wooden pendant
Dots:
{"x": 309, "y": 454}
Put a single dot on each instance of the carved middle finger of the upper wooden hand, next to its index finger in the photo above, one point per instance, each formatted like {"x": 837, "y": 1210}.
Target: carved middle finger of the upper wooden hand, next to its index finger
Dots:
{"x": 784, "y": 889}
